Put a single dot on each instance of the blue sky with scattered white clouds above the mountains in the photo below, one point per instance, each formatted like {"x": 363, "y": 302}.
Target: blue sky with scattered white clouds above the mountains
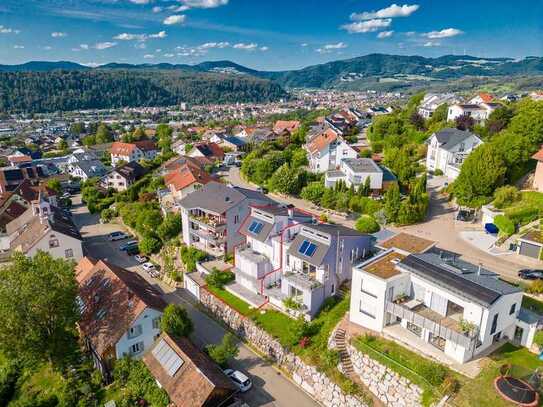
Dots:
{"x": 264, "y": 34}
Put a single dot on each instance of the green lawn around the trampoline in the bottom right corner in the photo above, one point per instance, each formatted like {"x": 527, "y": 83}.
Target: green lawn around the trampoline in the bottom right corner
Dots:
{"x": 480, "y": 391}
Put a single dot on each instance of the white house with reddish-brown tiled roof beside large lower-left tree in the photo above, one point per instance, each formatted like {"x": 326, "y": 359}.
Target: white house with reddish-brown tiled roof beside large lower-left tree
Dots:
{"x": 120, "y": 312}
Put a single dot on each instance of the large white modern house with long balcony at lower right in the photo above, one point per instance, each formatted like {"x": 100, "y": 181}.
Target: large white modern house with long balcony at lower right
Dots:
{"x": 458, "y": 308}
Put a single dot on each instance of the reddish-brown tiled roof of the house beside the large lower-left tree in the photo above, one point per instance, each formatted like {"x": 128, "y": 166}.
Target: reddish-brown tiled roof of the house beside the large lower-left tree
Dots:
{"x": 113, "y": 298}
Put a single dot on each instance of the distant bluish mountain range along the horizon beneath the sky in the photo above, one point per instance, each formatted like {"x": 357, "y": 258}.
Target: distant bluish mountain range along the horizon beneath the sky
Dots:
{"x": 372, "y": 68}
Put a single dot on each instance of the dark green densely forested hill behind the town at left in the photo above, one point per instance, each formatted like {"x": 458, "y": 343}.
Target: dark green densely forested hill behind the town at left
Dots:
{"x": 107, "y": 88}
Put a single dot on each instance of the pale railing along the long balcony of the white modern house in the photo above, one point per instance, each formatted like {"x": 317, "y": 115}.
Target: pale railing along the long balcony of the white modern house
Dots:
{"x": 465, "y": 339}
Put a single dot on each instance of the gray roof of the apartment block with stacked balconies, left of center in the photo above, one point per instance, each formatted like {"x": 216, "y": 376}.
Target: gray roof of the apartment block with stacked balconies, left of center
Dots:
{"x": 214, "y": 197}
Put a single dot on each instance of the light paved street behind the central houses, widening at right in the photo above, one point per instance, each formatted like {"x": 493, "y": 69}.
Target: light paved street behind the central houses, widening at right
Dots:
{"x": 439, "y": 227}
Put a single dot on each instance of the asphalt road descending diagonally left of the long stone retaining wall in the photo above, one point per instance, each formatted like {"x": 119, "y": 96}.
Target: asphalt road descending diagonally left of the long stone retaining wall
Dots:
{"x": 270, "y": 387}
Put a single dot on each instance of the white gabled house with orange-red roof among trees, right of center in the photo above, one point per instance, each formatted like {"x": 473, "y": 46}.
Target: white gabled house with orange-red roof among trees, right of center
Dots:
{"x": 326, "y": 151}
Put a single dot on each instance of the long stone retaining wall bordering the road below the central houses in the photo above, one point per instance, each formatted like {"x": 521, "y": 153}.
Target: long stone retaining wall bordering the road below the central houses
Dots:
{"x": 317, "y": 384}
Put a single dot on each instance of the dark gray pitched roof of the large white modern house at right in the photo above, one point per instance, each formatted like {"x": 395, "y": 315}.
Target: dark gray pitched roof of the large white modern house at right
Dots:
{"x": 465, "y": 279}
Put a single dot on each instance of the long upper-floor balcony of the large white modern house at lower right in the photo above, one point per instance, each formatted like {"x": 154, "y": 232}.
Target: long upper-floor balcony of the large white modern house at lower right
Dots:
{"x": 416, "y": 313}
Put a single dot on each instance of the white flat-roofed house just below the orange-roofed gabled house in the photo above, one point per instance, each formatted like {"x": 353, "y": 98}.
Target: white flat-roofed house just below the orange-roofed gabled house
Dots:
{"x": 355, "y": 171}
